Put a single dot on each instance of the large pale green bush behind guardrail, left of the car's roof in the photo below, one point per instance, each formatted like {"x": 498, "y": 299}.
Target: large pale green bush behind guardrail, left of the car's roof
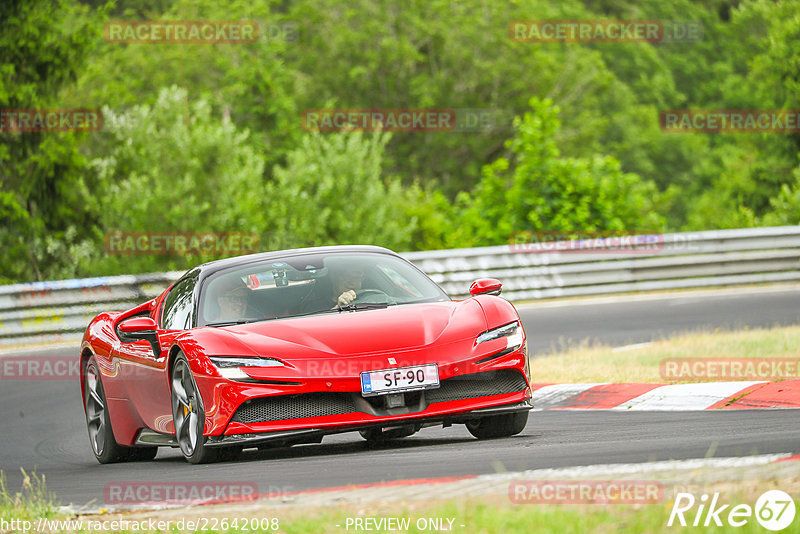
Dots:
{"x": 174, "y": 167}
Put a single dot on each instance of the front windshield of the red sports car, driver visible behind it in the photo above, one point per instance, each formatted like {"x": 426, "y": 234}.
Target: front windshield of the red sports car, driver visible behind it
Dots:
{"x": 312, "y": 284}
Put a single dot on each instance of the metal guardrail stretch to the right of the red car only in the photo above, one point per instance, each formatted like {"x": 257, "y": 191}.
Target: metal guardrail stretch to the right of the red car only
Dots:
{"x": 668, "y": 261}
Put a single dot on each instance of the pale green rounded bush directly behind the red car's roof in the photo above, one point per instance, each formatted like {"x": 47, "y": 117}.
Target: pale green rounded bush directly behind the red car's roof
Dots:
{"x": 331, "y": 191}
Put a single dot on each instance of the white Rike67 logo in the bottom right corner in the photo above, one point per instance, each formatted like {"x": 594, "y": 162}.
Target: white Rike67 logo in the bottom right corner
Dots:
{"x": 774, "y": 510}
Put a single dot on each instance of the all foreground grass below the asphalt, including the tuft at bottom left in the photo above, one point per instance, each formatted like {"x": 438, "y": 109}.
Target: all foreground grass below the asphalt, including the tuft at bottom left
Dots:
{"x": 491, "y": 514}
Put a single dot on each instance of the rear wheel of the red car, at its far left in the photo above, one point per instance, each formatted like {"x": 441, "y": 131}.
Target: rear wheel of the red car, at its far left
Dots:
{"x": 98, "y": 422}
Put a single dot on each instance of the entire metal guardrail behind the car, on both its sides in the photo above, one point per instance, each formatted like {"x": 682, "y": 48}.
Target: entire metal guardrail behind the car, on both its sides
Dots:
{"x": 53, "y": 311}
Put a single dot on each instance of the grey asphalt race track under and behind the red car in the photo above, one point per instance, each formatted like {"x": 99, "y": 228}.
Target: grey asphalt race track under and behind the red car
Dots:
{"x": 45, "y": 431}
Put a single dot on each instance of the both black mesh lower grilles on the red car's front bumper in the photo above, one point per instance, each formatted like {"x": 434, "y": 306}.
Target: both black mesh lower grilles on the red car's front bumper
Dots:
{"x": 284, "y": 407}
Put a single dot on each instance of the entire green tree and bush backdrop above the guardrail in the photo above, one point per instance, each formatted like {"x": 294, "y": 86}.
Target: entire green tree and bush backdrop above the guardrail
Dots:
{"x": 208, "y": 137}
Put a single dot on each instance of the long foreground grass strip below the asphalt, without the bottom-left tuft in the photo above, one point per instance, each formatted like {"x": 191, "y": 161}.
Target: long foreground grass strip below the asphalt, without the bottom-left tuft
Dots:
{"x": 497, "y": 514}
